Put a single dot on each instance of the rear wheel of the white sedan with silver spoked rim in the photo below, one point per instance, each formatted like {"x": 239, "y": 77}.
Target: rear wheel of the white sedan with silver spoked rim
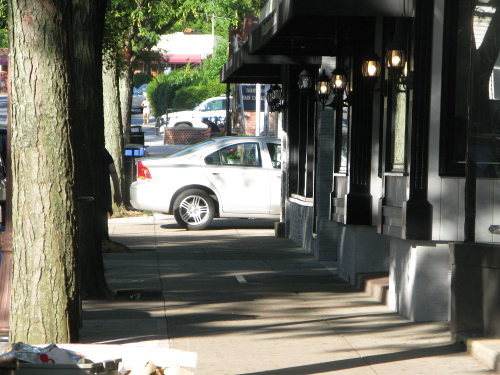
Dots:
{"x": 194, "y": 209}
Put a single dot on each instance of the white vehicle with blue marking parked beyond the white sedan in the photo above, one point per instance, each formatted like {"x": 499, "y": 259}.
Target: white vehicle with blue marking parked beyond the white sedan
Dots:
{"x": 213, "y": 108}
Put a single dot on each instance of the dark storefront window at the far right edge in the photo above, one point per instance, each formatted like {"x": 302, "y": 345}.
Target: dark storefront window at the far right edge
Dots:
{"x": 471, "y": 87}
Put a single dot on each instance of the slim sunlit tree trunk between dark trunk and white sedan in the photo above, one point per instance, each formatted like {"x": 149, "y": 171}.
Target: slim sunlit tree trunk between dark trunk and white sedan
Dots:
{"x": 113, "y": 129}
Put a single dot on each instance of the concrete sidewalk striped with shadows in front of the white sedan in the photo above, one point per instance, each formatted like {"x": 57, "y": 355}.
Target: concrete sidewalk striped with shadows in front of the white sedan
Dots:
{"x": 247, "y": 302}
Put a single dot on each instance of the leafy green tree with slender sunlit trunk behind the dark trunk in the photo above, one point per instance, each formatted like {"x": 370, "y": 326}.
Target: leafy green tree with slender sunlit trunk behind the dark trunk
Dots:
{"x": 133, "y": 27}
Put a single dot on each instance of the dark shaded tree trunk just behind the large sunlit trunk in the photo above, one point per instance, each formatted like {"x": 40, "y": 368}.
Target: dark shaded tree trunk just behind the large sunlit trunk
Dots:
{"x": 88, "y": 25}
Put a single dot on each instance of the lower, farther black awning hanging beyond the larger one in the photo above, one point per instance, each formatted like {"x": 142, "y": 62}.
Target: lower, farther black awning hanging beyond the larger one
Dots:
{"x": 245, "y": 68}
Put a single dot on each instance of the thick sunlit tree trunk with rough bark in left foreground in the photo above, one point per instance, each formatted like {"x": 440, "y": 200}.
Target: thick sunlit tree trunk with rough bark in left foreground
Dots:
{"x": 44, "y": 306}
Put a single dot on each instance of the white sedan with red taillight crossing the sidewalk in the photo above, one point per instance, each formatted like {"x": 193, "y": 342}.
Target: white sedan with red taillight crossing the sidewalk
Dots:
{"x": 237, "y": 177}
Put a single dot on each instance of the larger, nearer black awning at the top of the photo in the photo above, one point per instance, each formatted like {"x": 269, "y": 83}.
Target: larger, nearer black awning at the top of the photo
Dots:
{"x": 299, "y": 27}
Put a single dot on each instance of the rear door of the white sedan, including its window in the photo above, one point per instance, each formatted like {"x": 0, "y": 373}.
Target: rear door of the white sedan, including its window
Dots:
{"x": 237, "y": 174}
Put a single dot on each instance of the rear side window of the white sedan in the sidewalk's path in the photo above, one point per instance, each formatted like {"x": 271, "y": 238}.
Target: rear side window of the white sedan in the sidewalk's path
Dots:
{"x": 242, "y": 154}
